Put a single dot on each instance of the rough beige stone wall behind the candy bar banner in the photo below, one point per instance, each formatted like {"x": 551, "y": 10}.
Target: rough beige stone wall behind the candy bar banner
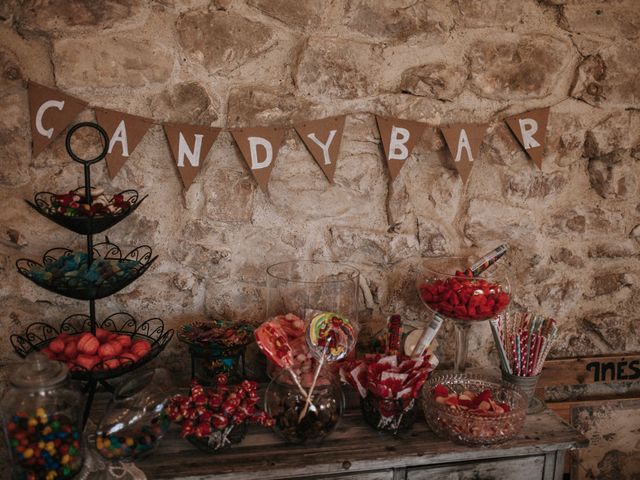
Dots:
{"x": 573, "y": 228}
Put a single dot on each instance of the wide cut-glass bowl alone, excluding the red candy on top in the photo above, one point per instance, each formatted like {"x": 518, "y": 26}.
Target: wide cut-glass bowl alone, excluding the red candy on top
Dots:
{"x": 471, "y": 428}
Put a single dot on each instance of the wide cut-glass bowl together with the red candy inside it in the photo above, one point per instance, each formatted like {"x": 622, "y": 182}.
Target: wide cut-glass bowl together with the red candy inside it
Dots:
{"x": 473, "y": 409}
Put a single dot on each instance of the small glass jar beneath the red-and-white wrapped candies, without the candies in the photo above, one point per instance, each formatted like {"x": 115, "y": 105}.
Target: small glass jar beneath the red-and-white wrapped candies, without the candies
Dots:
{"x": 388, "y": 415}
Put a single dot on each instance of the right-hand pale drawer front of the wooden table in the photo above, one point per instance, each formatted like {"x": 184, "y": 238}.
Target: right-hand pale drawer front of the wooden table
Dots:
{"x": 531, "y": 468}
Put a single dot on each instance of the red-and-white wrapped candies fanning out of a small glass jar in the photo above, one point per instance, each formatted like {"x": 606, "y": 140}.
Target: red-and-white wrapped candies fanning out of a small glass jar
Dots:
{"x": 390, "y": 382}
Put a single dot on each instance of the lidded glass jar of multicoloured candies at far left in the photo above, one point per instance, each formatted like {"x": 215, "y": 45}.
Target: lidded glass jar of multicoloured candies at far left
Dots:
{"x": 41, "y": 418}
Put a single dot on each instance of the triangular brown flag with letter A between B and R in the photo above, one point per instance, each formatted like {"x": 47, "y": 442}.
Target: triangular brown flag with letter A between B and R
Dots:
{"x": 464, "y": 140}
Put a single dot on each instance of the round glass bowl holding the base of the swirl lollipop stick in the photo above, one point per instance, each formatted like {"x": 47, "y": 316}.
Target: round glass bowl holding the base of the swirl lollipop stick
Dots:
{"x": 285, "y": 403}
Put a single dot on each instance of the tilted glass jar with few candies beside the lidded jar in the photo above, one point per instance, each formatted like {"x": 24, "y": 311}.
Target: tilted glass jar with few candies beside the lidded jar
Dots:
{"x": 135, "y": 419}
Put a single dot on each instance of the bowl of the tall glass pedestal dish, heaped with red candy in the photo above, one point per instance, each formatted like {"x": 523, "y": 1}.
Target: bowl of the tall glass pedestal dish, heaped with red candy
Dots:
{"x": 462, "y": 296}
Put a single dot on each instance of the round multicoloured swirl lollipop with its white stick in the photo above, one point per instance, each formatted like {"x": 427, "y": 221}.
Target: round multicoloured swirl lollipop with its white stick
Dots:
{"x": 330, "y": 338}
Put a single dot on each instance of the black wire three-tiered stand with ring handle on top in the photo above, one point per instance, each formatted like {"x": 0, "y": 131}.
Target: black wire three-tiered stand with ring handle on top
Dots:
{"x": 91, "y": 286}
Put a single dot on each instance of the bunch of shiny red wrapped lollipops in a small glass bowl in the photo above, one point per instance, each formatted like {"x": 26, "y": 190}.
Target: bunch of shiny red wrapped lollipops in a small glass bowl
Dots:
{"x": 209, "y": 417}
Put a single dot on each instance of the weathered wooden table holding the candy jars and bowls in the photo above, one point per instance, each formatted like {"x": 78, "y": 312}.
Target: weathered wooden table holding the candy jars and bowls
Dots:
{"x": 357, "y": 452}
